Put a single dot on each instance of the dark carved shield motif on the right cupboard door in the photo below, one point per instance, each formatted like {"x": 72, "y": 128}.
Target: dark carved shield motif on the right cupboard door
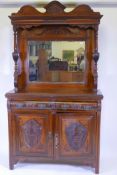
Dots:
{"x": 76, "y": 135}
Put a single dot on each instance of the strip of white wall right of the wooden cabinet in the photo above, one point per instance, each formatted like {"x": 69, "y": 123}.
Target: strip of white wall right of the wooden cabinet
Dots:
{"x": 107, "y": 71}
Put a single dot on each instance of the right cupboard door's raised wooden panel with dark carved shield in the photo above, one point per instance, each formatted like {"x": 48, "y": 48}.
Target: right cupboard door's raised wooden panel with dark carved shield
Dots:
{"x": 75, "y": 135}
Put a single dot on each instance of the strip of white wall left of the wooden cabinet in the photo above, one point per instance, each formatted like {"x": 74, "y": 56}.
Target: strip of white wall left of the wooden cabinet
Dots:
{"x": 6, "y": 71}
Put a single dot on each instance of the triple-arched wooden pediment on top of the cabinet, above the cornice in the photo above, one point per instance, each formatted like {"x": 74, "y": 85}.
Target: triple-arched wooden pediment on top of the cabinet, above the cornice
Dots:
{"x": 56, "y": 8}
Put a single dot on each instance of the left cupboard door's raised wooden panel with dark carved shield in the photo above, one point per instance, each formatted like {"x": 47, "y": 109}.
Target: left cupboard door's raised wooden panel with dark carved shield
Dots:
{"x": 34, "y": 134}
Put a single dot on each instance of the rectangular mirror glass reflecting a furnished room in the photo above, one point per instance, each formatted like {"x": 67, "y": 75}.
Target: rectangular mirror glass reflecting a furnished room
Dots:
{"x": 56, "y": 61}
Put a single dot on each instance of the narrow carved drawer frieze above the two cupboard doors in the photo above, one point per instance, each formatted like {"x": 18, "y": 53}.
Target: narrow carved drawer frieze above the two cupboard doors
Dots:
{"x": 54, "y": 105}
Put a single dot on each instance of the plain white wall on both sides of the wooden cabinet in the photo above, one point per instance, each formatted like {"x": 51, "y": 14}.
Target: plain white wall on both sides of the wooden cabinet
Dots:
{"x": 107, "y": 82}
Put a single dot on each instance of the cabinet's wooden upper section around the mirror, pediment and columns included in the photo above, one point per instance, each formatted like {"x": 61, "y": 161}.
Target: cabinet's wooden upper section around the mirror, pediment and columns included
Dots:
{"x": 81, "y": 24}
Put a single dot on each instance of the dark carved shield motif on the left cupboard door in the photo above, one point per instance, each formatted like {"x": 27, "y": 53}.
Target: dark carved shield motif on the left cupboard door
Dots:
{"x": 32, "y": 131}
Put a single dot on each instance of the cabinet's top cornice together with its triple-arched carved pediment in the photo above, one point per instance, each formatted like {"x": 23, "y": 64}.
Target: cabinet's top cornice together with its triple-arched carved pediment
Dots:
{"x": 55, "y": 14}
